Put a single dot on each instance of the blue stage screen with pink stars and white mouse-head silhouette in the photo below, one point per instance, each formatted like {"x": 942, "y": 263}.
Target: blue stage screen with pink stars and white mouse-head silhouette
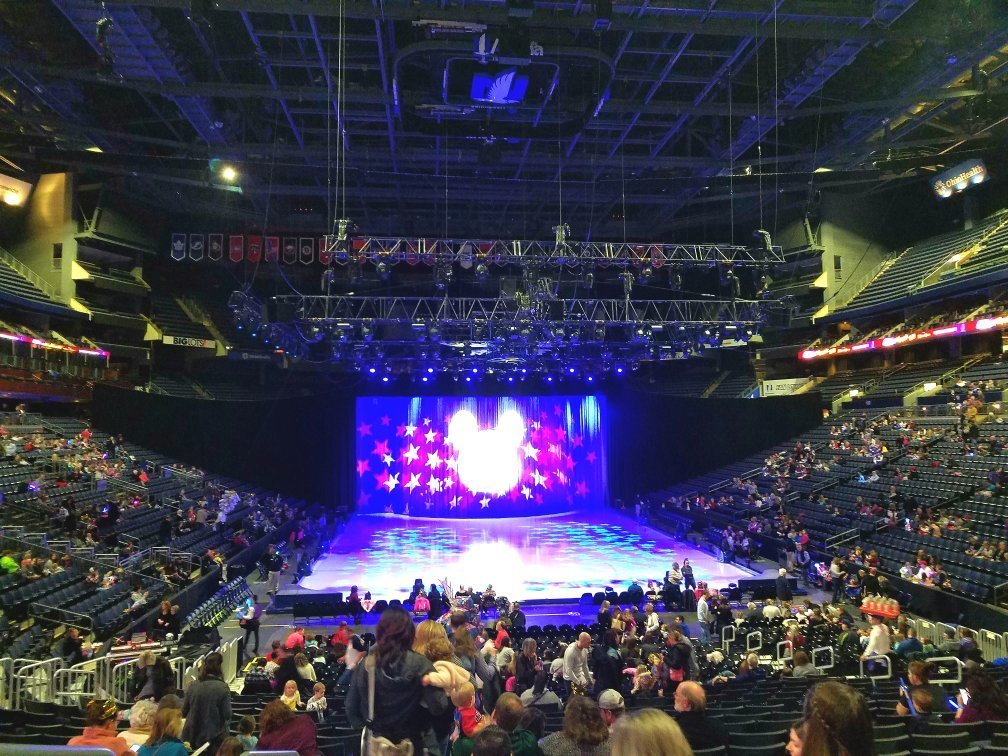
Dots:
{"x": 480, "y": 457}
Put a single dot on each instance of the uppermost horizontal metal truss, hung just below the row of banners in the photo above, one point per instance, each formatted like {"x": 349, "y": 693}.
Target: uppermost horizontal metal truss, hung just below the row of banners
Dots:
{"x": 393, "y": 250}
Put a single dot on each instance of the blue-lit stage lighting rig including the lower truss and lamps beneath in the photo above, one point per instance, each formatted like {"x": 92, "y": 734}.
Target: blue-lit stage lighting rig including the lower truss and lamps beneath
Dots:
{"x": 509, "y": 335}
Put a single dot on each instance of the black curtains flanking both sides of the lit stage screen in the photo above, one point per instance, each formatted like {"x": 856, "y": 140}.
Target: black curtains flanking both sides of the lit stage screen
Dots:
{"x": 306, "y": 447}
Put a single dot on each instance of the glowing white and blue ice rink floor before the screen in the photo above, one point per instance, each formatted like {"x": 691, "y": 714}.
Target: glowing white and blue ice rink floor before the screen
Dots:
{"x": 552, "y": 558}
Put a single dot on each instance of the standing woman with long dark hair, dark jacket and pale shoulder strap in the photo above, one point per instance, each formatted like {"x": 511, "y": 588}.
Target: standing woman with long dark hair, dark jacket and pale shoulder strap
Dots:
{"x": 405, "y": 709}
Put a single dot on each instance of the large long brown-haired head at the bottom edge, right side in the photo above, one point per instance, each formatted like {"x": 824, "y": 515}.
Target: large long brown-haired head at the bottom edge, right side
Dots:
{"x": 835, "y": 722}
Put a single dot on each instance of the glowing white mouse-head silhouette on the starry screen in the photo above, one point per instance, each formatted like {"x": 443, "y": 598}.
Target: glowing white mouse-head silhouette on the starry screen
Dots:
{"x": 488, "y": 460}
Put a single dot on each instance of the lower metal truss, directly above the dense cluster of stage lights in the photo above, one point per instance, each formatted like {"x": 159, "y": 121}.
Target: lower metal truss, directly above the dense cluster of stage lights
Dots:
{"x": 355, "y": 311}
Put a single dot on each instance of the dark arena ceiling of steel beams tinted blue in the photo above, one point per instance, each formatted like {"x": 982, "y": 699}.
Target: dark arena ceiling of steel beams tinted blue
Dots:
{"x": 693, "y": 119}
